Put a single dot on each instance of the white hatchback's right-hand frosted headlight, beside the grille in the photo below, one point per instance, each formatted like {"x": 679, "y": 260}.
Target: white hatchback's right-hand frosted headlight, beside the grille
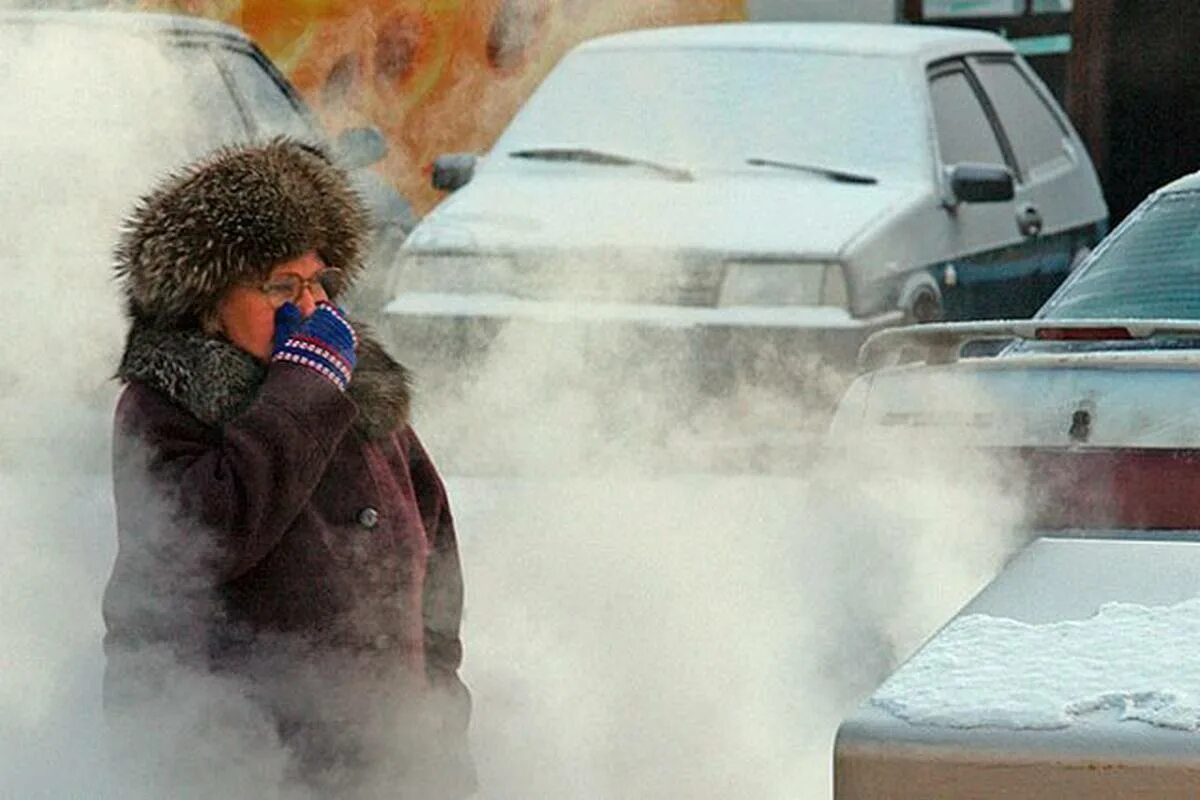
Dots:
{"x": 784, "y": 284}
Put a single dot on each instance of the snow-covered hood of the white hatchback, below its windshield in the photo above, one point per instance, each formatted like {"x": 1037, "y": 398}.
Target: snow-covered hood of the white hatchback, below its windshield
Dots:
{"x": 769, "y": 213}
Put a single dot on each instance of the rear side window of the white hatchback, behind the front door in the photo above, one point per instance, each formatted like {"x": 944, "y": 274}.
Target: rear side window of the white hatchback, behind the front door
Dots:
{"x": 1036, "y": 136}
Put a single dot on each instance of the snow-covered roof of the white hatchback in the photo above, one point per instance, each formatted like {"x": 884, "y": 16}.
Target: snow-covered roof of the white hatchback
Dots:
{"x": 925, "y": 43}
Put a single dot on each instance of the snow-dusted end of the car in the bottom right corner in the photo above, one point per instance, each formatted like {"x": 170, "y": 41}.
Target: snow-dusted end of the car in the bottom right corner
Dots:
{"x": 1071, "y": 676}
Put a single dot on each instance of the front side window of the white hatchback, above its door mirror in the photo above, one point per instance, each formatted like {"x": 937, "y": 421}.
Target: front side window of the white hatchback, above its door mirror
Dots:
{"x": 964, "y": 131}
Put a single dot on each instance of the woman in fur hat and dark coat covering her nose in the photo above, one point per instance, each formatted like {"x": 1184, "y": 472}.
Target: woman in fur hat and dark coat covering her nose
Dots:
{"x": 281, "y": 527}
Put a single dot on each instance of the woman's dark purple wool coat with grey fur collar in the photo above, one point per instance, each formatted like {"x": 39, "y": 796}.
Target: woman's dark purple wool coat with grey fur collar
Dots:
{"x": 279, "y": 532}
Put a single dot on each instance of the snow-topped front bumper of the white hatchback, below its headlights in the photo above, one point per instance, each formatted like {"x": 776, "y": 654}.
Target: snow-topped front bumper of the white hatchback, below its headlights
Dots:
{"x": 508, "y": 308}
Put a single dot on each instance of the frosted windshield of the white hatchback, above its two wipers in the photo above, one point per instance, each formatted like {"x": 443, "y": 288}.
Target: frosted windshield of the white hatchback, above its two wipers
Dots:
{"x": 717, "y": 109}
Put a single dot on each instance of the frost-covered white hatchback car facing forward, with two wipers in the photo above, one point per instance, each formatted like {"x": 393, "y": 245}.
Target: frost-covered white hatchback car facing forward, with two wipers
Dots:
{"x": 800, "y": 184}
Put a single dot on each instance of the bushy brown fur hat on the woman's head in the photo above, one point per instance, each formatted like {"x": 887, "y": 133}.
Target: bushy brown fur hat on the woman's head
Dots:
{"x": 232, "y": 218}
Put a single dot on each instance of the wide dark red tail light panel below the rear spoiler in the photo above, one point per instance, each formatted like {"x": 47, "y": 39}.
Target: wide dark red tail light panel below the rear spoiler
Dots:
{"x": 1113, "y": 489}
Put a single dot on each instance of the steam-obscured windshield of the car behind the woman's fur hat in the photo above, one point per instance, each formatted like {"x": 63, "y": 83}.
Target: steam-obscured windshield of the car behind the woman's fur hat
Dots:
{"x": 75, "y": 97}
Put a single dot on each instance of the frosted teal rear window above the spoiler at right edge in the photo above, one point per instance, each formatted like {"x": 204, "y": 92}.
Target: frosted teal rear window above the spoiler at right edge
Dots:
{"x": 1150, "y": 269}
